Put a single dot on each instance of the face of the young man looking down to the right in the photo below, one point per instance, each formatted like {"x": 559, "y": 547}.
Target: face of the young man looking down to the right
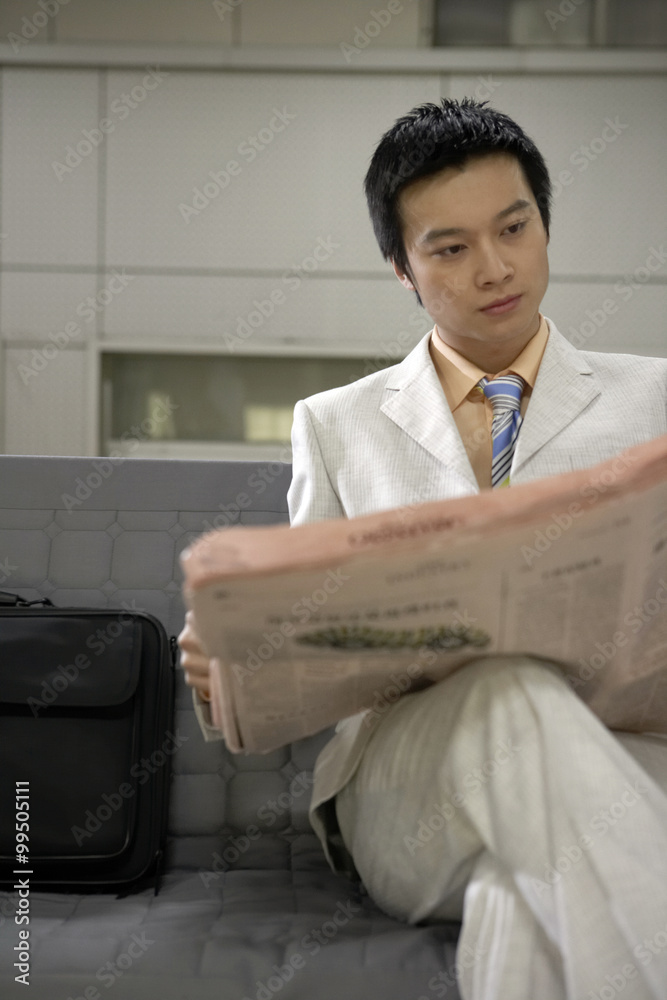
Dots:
{"x": 497, "y": 252}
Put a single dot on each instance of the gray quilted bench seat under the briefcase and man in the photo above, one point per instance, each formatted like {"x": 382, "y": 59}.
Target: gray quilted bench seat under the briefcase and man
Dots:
{"x": 244, "y": 934}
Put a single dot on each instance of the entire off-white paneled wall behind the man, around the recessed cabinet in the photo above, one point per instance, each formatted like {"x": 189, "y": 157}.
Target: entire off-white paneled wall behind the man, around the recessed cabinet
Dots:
{"x": 300, "y": 192}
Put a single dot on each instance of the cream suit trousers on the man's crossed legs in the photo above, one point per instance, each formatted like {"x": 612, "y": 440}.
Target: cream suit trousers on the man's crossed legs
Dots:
{"x": 498, "y": 798}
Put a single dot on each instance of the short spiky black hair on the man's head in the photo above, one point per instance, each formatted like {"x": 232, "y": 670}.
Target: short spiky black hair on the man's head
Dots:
{"x": 432, "y": 137}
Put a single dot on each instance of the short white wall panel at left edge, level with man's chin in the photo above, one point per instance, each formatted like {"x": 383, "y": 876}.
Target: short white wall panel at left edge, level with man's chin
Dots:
{"x": 34, "y": 305}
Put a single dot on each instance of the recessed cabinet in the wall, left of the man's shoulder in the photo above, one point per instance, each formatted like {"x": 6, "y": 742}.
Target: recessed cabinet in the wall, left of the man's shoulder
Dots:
{"x": 211, "y": 406}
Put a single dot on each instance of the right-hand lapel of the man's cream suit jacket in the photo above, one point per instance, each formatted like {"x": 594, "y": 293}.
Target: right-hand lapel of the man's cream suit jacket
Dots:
{"x": 565, "y": 386}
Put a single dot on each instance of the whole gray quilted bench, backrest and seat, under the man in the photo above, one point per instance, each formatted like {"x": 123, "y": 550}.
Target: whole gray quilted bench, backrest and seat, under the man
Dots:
{"x": 248, "y": 907}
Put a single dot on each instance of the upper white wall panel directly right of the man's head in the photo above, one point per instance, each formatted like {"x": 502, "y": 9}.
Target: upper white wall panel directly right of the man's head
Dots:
{"x": 613, "y": 206}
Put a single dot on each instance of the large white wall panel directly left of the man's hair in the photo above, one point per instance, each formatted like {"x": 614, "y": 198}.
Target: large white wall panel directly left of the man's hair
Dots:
{"x": 299, "y": 182}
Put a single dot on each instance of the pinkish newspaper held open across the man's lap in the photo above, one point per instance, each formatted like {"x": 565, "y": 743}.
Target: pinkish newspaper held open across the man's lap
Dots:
{"x": 311, "y": 624}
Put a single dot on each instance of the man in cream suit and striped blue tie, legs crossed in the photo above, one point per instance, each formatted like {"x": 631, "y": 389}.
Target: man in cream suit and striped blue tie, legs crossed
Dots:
{"x": 558, "y": 897}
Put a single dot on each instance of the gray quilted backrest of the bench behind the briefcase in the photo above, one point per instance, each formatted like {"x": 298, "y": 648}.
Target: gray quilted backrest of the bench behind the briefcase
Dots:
{"x": 108, "y": 533}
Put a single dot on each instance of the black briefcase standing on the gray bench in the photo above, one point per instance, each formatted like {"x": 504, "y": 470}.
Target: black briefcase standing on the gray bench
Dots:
{"x": 86, "y": 720}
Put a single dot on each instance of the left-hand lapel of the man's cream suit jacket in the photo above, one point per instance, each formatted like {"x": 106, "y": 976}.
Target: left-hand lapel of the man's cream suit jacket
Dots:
{"x": 417, "y": 404}
